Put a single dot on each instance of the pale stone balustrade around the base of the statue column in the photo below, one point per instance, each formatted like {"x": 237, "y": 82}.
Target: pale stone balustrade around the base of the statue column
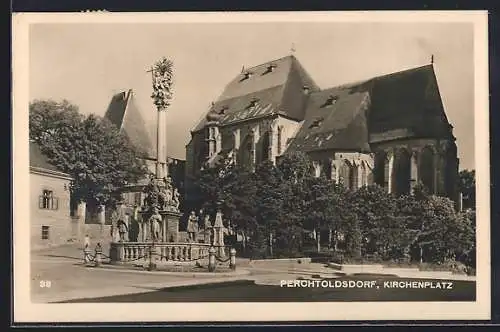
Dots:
{"x": 135, "y": 252}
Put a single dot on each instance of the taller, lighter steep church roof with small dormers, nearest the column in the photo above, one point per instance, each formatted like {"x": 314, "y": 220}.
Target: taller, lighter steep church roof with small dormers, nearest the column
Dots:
{"x": 273, "y": 87}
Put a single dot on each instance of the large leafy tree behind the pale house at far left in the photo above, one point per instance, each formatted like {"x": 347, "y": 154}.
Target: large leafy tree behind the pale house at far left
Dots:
{"x": 100, "y": 159}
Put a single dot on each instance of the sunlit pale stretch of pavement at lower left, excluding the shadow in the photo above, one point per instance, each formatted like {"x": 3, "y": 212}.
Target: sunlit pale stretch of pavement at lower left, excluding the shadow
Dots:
{"x": 58, "y": 274}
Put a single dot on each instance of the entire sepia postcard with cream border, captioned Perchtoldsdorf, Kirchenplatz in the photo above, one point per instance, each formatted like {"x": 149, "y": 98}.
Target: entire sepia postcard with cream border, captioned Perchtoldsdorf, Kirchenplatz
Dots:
{"x": 251, "y": 166}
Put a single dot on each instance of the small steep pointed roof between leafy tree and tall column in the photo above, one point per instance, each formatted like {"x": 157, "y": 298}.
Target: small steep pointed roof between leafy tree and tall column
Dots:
{"x": 123, "y": 113}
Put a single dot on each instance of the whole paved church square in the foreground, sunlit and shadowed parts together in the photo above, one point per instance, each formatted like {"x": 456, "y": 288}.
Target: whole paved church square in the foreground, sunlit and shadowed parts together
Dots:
{"x": 57, "y": 275}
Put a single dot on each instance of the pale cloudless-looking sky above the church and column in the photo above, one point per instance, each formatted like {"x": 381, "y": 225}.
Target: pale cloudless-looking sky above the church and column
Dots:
{"x": 88, "y": 63}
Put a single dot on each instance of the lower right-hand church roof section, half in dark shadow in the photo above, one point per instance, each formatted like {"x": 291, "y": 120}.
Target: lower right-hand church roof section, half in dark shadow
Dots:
{"x": 352, "y": 117}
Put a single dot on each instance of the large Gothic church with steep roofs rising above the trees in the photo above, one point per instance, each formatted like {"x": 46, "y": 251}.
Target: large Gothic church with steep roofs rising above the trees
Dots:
{"x": 391, "y": 130}
